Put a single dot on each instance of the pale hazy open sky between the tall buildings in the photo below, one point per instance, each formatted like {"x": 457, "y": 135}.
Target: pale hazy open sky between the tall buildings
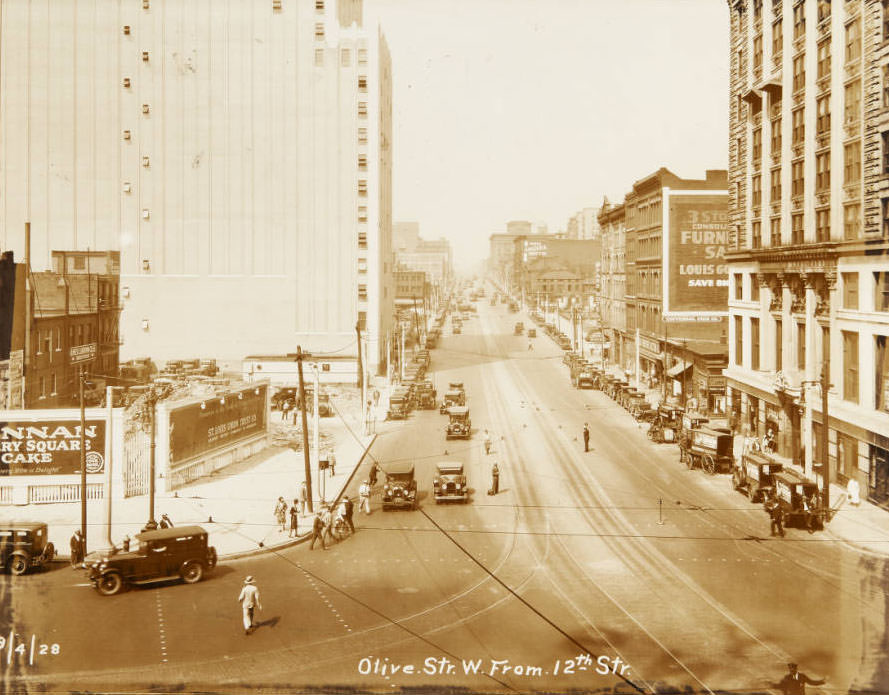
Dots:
{"x": 534, "y": 109}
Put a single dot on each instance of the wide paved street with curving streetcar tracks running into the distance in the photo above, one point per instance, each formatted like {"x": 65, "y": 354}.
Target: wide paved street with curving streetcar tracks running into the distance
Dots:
{"x": 511, "y": 592}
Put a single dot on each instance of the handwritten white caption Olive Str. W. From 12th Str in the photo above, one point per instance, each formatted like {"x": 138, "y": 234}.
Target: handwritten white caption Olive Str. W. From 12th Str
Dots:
{"x": 443, "y": 666}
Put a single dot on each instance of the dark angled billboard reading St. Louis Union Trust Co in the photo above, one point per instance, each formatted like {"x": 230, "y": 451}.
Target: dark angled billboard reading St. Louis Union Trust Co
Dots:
{"x": 201, "y": 427}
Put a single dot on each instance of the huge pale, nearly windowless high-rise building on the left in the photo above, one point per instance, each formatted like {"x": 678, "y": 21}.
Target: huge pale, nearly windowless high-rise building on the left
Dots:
{"x": 236, "y": 152}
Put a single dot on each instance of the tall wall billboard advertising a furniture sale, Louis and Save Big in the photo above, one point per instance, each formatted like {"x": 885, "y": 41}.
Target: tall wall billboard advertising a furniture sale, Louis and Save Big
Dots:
{"x": 696, "y": 235}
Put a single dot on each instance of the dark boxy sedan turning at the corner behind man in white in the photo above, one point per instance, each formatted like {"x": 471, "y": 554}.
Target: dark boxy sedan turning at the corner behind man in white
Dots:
{"x": 154, "y": 556}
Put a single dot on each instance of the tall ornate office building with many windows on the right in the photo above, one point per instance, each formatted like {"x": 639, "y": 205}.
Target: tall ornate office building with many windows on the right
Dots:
{"x": 809, "y": 274}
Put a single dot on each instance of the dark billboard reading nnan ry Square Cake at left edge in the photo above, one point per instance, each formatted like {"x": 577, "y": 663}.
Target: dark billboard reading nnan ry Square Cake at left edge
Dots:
{"x": 50, "y": 447}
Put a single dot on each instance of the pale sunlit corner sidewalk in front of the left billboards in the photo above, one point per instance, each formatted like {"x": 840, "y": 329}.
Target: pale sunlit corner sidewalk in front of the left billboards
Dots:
{"x": 235, "y": 504}
